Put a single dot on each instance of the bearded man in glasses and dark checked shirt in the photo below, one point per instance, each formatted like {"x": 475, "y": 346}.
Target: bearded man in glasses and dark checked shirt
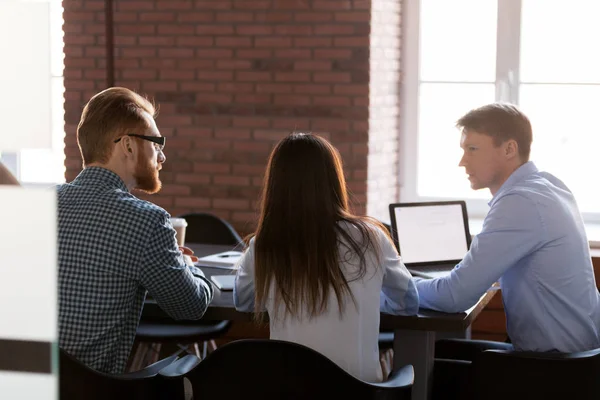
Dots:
{"x": 114, "y": 247}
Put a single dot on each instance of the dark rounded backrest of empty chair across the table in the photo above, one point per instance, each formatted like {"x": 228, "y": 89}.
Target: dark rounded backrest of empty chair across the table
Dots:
{"x": 209, "y": 229}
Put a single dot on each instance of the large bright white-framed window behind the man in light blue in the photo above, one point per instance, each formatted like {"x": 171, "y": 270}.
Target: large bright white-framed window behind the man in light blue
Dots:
{"x": 540, "y": 54}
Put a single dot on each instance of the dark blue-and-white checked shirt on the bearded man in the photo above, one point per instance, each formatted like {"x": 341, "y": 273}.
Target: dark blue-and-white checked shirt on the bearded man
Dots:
{"x": 113, "y": 248}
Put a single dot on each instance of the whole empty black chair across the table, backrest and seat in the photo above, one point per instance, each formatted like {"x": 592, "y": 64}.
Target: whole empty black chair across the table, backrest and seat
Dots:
{"x": 152, "y": 332}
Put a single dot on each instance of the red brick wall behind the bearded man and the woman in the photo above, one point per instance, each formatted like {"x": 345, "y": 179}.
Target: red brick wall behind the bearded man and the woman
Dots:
{"x": 232, "y": 78}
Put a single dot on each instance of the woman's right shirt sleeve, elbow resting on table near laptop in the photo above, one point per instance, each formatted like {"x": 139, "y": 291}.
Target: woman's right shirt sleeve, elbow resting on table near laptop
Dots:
{"x": 398, "y": 292}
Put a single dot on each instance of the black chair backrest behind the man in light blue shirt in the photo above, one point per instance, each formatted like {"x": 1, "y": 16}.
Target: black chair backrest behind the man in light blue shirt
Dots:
{"x": 500, "y": 374}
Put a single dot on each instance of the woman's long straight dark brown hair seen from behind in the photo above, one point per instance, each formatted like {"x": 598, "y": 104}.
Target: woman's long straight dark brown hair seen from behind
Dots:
{"x": 296, "y": 243}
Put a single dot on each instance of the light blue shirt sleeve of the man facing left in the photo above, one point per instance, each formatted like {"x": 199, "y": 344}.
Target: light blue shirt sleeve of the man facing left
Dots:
{"x": 512, "y": 230}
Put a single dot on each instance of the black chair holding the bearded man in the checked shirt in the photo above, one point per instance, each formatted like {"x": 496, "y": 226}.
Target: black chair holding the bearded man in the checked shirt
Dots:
{"x": 77, "y": 381}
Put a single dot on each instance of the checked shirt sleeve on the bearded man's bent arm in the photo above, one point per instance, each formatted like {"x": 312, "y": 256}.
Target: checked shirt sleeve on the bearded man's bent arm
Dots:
{"x": 168, "y": 279}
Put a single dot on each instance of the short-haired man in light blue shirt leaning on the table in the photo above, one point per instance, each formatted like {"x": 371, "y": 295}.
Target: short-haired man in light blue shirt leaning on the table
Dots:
{"x": 533, "y": 242}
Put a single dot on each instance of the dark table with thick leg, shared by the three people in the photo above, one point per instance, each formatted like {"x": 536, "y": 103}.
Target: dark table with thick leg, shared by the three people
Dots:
{"x": 414, "y": 336}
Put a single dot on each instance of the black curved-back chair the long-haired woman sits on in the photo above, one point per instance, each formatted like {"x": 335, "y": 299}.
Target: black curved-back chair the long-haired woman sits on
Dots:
{"x": 273, "y": 369}
